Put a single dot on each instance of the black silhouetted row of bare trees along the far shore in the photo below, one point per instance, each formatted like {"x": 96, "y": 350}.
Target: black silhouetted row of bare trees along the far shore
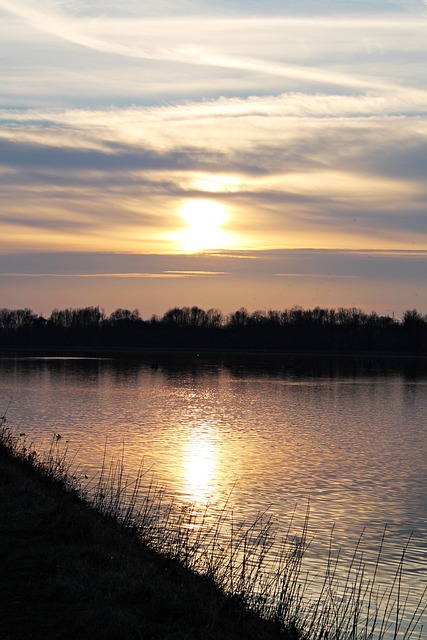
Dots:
{"x": 296, "y": 329}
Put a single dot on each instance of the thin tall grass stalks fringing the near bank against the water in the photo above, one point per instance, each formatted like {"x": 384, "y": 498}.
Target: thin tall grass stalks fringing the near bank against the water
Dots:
{"x": 253, "y": 563}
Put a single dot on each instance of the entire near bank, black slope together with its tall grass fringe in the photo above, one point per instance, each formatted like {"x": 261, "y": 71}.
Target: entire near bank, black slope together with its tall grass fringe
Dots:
{"x": 116, "y": 557}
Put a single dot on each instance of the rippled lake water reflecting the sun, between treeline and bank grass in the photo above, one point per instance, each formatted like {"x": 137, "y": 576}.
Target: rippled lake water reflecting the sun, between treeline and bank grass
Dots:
{"x": 346, "y": 435}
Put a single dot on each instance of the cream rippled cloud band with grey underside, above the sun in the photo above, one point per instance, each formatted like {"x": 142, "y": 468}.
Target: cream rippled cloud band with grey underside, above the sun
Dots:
{"x": 182, "y": 137}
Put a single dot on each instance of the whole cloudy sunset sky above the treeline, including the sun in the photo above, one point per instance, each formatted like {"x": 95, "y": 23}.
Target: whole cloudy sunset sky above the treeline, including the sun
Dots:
{"x": 223, "y": 154}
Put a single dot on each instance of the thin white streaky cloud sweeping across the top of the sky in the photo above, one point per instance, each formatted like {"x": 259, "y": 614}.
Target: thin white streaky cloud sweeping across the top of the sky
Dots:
{"x": 163, "y": 43}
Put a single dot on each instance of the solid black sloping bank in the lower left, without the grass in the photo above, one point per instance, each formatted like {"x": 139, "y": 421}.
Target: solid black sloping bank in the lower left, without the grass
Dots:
{"x": 68, "y": 572}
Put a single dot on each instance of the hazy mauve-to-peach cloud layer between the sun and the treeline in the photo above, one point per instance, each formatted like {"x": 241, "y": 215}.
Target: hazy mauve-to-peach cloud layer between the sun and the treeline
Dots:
{"x": 381, "y": 280}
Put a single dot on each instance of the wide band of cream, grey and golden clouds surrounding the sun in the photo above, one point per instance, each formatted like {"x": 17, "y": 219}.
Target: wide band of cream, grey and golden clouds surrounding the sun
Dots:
{"x": 120, "y": 175}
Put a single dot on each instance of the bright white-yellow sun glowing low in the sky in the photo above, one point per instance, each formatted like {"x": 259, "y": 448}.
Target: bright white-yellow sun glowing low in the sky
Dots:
{"x": 203, "y": 221}
